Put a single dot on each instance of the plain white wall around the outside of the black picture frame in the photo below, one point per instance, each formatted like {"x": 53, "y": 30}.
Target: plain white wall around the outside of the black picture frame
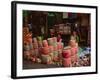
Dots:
{"x": 5, "y": 40}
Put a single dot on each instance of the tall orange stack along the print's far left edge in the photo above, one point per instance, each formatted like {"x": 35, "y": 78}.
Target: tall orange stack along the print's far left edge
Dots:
{"x": 27, "y": 44}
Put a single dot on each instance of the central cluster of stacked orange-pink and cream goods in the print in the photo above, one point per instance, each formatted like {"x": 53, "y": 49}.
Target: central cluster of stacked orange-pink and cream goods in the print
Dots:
{"x": 51, "y": 51}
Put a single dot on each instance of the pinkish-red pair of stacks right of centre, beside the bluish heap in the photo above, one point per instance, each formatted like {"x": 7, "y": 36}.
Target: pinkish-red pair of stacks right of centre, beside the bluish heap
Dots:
{"x": 70, "y": 54}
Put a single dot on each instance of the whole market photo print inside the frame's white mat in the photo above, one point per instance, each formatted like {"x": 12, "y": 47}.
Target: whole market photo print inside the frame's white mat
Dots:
{"x": 56, "y": 39}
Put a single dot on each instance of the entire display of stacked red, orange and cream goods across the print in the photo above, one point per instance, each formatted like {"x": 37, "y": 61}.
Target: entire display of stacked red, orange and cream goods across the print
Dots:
{"x": 49, "y": 51}
